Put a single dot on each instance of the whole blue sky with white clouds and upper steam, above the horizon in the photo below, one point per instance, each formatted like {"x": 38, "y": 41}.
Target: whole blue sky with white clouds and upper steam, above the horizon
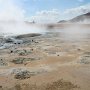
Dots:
{"x": 42, "y": 11}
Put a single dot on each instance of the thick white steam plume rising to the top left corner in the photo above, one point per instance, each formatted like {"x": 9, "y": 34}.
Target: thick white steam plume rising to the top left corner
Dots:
{"x": 12, "y": 19}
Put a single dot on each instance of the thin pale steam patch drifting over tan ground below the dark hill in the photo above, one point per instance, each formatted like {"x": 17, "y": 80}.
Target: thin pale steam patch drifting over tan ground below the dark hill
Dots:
{"x": 75, "y": 32}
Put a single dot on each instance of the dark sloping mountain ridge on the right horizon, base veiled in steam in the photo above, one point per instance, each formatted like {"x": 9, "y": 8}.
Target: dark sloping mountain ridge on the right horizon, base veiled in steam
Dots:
{"x": 80, "y": 18}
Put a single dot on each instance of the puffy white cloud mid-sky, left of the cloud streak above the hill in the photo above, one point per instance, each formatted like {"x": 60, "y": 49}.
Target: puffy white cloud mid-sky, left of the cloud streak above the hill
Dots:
{"x": 46, "y": 16}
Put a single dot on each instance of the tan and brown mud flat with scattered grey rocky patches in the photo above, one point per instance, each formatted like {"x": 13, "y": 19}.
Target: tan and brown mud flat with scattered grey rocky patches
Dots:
{"x": 51, "y": 61}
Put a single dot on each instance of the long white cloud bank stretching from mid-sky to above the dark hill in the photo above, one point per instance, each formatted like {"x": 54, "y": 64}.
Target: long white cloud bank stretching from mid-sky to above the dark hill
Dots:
{"x": 55, "y": 15}
